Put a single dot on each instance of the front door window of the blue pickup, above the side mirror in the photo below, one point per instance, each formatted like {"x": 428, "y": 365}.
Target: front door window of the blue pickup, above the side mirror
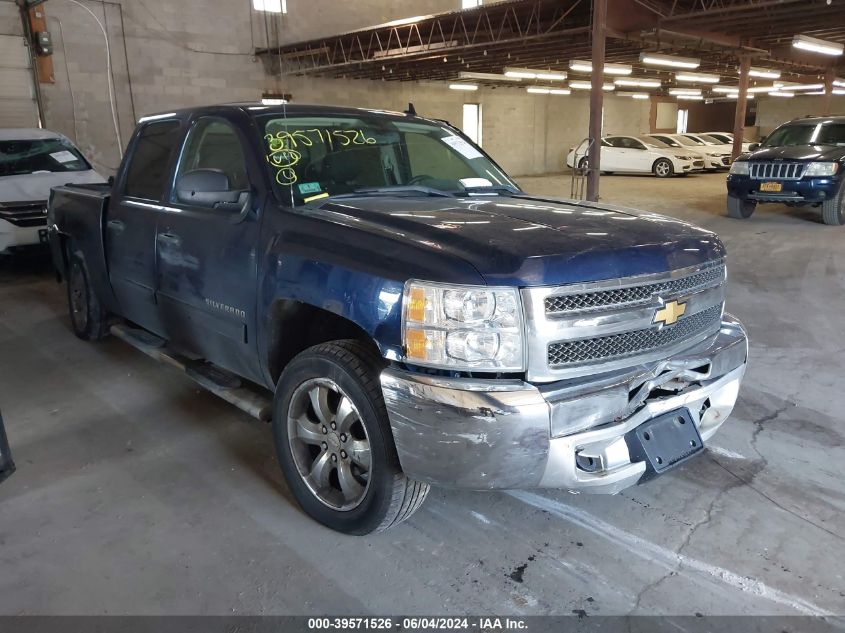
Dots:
{"x": 214, "y": 145}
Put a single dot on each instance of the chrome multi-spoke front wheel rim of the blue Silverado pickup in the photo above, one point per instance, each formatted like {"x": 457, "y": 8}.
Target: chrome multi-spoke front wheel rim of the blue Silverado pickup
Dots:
{"x": 329, "y": 444}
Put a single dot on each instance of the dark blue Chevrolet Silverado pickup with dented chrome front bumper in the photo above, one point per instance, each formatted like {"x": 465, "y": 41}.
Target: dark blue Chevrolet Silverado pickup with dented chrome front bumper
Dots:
{"x": 377, "y": 287}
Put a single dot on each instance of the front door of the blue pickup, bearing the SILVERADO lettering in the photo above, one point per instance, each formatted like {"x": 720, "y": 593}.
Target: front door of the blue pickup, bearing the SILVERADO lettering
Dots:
{"x": 207, "y": 254}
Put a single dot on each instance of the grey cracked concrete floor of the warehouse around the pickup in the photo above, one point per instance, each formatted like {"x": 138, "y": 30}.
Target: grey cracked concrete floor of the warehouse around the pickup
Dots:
{"x": 137, "y": 493}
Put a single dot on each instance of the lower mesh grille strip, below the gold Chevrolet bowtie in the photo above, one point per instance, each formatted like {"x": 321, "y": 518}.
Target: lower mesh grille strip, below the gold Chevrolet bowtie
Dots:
{"x": 605, "y": 348}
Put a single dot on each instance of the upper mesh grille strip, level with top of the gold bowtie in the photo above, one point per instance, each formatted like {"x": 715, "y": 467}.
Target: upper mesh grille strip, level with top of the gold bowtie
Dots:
{"x": 635, "y": 295}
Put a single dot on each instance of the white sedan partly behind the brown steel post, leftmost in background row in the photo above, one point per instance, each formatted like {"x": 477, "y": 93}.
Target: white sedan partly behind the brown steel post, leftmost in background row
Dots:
{"x": 626, "y": 154}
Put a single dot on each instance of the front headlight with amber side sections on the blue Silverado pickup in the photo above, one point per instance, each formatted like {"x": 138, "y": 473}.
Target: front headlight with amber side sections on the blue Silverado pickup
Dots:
{"x": 463, "y": 327}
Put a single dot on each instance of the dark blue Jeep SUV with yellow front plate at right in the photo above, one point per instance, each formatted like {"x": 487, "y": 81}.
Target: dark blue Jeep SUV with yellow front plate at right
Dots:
{"x": 801, "y": 163}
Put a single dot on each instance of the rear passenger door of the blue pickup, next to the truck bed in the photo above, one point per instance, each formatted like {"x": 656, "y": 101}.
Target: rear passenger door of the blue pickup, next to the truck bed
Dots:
{"x": 130, "y": 231}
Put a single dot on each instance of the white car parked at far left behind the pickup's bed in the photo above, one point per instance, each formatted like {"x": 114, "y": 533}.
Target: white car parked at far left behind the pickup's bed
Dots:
{"x": 32, "y": 161}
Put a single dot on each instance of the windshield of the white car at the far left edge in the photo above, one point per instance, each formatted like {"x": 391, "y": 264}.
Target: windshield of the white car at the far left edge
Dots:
{"x": 39, "y": 155}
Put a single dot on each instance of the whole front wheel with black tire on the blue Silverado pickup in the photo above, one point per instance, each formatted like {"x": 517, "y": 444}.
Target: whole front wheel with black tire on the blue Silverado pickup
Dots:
{"x": 338, "y": 384}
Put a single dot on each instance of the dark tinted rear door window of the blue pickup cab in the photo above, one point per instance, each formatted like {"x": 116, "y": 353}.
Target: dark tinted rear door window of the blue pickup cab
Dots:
{"x": 147, "y": 172}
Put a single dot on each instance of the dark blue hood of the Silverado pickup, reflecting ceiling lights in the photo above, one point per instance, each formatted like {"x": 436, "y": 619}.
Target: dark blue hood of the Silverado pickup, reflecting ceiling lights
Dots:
{"x": 531, "y": 241}
